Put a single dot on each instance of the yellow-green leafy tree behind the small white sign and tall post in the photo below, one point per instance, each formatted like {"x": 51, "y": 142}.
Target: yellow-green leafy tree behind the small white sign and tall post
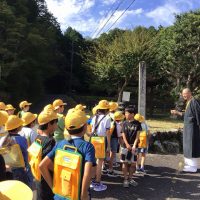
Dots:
{"x": 116, "y": 63}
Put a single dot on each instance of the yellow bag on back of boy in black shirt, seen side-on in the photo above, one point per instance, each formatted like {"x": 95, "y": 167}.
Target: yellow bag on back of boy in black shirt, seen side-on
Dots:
{"x": 35, "y": 157}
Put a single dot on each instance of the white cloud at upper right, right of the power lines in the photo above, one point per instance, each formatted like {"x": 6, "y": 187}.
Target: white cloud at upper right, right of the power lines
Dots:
{"x": 165, "y": 15}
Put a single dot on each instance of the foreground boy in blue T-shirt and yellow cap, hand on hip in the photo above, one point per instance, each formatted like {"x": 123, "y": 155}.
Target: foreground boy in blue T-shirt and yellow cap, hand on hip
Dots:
{"x": 76, "y": 125}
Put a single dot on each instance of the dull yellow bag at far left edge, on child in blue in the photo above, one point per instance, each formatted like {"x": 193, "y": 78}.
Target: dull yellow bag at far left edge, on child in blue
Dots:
{"x": 13, "y": 156}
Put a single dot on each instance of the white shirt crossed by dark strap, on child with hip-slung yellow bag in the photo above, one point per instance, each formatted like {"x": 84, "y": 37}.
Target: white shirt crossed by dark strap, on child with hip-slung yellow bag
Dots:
{"x": 103, "y": 126}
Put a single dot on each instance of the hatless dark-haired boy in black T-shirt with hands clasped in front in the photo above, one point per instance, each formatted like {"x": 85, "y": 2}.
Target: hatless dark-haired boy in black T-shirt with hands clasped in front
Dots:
{"x": 130, "y": 129}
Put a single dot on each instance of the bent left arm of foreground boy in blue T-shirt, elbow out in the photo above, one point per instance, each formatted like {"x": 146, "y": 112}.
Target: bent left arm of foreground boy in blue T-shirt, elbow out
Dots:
{"x": 45, "y": 166}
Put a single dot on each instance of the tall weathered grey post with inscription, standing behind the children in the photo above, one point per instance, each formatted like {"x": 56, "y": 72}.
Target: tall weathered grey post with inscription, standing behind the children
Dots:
{"x": 142, "y": 89}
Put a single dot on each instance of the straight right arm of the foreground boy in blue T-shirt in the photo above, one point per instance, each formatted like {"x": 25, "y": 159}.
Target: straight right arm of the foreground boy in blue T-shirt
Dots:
{"x": 86, "y": 180}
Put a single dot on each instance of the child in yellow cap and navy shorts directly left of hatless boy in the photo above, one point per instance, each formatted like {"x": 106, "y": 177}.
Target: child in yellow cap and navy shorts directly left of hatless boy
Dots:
{"x": 116, "y": 138}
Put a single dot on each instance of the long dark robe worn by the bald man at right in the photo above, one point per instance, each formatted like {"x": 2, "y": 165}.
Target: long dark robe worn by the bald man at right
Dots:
{"x": 191, "y": 131}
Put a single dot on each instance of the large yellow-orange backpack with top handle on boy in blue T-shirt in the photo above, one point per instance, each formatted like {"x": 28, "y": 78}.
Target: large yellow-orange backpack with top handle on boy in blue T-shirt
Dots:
{"x": 67, "y": 173}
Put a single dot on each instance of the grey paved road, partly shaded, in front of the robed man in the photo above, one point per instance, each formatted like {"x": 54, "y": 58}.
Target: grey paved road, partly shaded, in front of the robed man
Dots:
{"x": 162, "y": 181}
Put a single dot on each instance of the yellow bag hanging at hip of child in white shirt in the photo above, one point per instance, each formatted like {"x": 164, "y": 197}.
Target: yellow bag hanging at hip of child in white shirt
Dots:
{"x": 99, "y": 145}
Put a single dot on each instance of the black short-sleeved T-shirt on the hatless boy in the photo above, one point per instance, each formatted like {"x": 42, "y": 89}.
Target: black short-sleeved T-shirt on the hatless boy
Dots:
{"x": 130, "y": 129}
